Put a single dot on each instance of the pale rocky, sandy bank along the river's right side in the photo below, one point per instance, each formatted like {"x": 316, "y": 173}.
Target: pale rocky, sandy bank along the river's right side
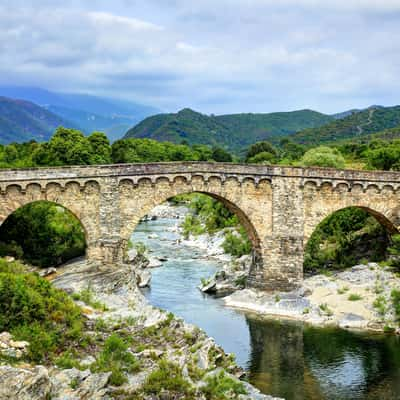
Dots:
{"x": 357, "y": 298}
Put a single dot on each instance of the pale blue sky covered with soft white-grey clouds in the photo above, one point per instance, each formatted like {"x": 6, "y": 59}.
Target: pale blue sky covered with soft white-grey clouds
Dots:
{"x": 215, "y": 56}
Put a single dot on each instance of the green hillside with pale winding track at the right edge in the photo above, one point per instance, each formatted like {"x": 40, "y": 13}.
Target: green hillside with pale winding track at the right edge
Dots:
{"x": 371, "y": 120}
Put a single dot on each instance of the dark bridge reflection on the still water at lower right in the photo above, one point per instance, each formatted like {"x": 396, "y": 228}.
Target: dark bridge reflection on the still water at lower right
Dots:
{"x": 298, "y": 362}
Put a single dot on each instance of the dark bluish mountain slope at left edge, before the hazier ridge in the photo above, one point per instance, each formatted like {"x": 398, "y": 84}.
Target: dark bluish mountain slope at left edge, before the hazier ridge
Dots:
{"x": 22, "y": 121}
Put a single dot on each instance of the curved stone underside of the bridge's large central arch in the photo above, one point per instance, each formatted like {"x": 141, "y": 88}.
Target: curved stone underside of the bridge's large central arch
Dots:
{"x": 233, "y": 208}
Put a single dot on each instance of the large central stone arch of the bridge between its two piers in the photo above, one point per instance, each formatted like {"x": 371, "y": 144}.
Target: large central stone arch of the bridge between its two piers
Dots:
{"x": 250, "y": 202}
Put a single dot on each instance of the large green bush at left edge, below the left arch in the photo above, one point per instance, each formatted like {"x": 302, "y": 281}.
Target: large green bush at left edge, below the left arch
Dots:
{"x": 33, "y": 310}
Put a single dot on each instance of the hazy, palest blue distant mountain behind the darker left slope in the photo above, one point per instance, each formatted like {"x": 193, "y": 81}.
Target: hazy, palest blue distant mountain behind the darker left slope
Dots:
{"x": 89, "y": 113}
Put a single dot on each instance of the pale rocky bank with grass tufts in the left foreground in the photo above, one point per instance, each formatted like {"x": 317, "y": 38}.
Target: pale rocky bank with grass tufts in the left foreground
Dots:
{"x": 175, "y": 360}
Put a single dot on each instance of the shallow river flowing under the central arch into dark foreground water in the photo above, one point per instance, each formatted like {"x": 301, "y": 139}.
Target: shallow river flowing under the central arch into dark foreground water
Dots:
{"x": 283, "y": 358}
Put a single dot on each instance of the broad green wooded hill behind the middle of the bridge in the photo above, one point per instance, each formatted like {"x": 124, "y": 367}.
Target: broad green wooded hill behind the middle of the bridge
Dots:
{"x": 234, "y": 131}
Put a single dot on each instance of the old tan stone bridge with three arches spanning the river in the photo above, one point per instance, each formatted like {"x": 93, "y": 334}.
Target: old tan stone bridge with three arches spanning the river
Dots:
{"x": 279, "y": 206}
